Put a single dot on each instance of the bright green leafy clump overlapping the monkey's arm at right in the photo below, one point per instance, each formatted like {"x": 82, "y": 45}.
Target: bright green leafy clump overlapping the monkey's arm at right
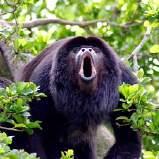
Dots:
{"x": 146, "y": 117}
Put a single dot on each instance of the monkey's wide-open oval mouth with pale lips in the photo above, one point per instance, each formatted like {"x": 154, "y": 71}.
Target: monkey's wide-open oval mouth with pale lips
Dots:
{"x": 87, "y": 70}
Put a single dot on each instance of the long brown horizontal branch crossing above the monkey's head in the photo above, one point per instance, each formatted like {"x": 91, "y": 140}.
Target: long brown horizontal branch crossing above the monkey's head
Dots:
{"x": 40, "y": 22}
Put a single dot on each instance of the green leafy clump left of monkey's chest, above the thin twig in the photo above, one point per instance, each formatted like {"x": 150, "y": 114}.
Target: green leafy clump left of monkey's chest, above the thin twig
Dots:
{"x": 14, "y": 106}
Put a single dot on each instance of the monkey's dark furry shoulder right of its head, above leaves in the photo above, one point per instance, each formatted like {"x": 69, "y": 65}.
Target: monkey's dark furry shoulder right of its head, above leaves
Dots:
{"x": 126, "y": 74}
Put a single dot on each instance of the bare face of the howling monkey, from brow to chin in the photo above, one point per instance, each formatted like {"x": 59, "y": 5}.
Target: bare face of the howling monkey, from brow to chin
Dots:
{"x": 88, "y": 63}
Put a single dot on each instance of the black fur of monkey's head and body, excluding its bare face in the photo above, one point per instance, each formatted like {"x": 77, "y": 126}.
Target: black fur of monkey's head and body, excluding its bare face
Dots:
{"x": 69, "y": 116}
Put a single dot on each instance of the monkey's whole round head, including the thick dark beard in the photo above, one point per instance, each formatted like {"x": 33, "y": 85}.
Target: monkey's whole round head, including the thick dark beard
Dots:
{"x": 85, "y": 72}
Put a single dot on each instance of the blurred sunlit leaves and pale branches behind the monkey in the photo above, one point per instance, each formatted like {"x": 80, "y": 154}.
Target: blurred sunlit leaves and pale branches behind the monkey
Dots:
{"x": 131, "y": 27}
